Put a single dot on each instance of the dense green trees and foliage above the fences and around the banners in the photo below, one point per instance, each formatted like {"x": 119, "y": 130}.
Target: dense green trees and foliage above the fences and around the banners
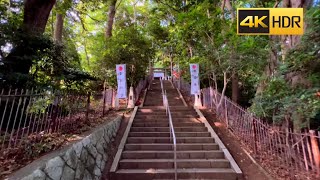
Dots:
{"x": 75, "y": 44}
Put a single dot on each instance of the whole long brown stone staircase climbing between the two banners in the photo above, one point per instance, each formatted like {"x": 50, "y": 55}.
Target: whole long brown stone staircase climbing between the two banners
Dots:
{"x": 147, "y": 151}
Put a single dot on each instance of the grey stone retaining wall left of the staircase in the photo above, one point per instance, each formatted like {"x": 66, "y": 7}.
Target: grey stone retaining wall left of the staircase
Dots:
{"x": 84, "y": 160}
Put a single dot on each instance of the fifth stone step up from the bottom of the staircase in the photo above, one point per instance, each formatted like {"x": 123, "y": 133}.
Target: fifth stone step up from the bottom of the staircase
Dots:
{"x": 147, "y": 140}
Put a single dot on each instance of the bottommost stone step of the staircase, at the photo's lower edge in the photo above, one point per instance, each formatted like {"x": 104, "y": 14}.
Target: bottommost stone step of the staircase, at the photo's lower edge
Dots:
{"x": 196, "y": 173}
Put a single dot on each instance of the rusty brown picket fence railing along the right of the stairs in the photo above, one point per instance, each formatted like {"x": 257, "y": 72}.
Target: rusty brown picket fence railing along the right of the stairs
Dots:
{"x": 297, "y": 152}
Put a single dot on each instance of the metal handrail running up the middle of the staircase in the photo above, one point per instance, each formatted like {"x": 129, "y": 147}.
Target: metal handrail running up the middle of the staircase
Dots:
{"x": 172, "y": 132}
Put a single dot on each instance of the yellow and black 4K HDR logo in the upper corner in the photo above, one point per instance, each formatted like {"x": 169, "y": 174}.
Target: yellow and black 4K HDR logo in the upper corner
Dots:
{"x": 270, "y": 21}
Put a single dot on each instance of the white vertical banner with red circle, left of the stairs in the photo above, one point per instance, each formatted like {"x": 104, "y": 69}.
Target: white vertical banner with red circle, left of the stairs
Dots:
{"x": 122, "y": 81}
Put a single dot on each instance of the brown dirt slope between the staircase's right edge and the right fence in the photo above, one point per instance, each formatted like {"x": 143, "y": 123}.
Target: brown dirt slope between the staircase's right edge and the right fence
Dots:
{"x": 250, "y": 170}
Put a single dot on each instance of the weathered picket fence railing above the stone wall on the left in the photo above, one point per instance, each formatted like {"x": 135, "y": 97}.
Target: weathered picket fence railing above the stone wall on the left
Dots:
{"x": 33, "y": 112}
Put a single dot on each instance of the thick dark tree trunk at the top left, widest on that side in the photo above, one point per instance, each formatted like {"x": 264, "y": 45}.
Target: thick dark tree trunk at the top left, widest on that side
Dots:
{"x": 36, "y": 14}
